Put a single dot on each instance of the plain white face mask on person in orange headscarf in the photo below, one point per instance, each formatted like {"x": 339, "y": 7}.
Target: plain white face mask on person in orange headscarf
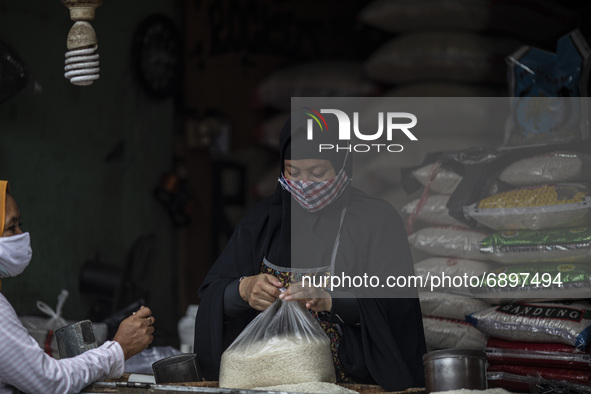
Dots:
{"x": 15, "y": 254}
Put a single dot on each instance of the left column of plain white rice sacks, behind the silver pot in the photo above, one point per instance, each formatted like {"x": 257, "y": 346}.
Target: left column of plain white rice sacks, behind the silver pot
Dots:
{"x": 443, "y": 245}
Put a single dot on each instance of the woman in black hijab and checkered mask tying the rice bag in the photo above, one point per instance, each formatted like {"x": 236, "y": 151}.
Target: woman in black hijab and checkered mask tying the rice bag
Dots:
{"x": 316, "y": 223}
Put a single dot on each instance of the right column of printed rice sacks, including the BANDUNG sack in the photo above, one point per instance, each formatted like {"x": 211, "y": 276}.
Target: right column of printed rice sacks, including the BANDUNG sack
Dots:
{"x": 541, "y": 328}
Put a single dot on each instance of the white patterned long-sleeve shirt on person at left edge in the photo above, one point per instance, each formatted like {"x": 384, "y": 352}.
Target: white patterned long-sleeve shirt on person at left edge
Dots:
{"x": 24, "y": 365}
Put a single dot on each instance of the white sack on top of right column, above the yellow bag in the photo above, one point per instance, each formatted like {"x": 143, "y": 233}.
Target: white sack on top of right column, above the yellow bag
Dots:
{"x": 548, "y": 167}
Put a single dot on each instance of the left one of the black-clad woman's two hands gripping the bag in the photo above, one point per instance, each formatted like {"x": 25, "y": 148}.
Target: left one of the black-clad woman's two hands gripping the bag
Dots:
{"x": 260, "y": 290}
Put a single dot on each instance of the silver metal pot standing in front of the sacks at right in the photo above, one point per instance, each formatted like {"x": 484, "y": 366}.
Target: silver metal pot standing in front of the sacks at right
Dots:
{"x": 455, "y": 369}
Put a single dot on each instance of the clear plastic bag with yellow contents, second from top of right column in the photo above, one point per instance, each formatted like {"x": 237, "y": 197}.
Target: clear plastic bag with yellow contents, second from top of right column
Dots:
{"x": 535, "y": 208}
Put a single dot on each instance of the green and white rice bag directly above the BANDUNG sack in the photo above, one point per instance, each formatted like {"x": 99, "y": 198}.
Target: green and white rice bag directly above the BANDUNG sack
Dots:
{"x": 536, "y": 282}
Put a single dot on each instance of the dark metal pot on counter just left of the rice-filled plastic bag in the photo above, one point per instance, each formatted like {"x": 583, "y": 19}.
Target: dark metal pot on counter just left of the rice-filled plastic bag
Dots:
{"x": 177, "y": 369}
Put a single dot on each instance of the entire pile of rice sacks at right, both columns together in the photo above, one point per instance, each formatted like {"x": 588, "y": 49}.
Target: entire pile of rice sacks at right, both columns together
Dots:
{"x": 536, "y": 232}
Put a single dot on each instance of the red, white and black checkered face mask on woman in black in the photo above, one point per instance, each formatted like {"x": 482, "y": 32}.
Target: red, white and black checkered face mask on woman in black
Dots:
{"x": 313, "y": 196}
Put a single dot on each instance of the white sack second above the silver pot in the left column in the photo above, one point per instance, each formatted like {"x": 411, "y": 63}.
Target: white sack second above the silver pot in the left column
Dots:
{"x": 450, "y": 306}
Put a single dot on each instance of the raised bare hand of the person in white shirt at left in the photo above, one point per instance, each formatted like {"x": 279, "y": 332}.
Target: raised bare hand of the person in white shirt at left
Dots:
{"x": 135, "y": 333}
